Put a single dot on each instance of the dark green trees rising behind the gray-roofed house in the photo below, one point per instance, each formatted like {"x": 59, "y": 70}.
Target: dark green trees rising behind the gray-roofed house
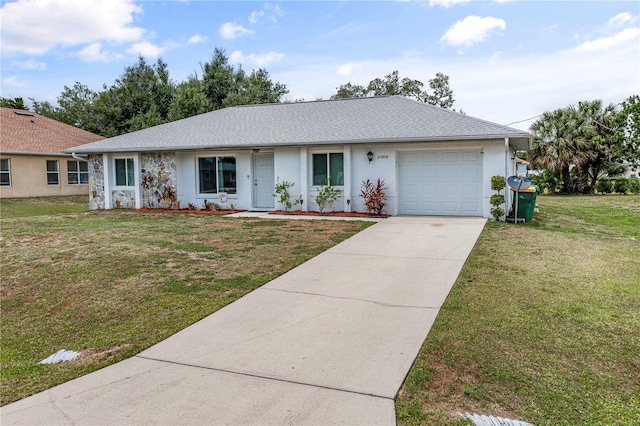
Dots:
{"x": 145, "y": 95}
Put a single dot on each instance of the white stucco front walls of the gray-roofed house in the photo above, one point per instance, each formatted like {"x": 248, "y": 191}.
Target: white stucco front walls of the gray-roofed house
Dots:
{"x": 294, "y": 164}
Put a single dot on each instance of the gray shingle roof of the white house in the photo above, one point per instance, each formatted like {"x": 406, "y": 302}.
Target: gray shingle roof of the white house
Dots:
{"x": 364, "y": 120}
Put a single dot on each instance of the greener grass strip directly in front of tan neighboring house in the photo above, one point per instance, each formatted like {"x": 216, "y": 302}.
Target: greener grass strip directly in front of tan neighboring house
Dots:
{"x": 42, "y": 206}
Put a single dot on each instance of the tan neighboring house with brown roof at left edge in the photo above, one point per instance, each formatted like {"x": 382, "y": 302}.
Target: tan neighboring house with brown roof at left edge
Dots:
{"x": 32, "y": 161}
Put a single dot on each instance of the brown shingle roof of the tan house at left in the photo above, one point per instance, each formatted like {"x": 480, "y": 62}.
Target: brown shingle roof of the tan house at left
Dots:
{"x": 25, "y": 131}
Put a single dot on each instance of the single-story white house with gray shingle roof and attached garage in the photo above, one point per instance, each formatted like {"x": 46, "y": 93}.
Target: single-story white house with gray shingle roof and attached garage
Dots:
{"x": 433, "y": 161}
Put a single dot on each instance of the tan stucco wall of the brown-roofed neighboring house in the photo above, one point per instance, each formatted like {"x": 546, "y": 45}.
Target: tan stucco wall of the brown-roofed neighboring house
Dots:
{"x": 29, "y": 177}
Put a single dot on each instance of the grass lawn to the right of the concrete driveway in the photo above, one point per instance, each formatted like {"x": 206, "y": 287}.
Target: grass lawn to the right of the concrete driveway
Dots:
{"x": 543, "y": 323}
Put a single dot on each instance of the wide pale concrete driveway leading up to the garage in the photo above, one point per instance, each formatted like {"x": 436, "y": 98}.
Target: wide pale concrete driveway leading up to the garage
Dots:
{"x": 329, "y": 342}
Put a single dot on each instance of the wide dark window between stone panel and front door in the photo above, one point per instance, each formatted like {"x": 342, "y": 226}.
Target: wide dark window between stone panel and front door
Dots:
{"x": 217, "y": 174}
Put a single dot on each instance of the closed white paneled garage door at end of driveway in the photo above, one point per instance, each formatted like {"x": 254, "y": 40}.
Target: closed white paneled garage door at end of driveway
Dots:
{"x": 441, "y": 183}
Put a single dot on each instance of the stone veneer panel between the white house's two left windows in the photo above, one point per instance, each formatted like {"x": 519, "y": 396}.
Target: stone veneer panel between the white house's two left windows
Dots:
{"x": 160, "y": 167}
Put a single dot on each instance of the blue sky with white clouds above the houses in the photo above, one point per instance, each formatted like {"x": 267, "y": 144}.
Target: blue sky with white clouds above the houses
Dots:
{"x": 507, "y": 60}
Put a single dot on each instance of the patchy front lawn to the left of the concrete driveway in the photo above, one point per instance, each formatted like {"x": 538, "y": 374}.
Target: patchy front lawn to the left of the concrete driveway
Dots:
{"x": 112, "y": 283}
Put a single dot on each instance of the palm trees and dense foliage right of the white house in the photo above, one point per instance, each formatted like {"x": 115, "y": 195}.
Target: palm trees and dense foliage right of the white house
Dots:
{"x": 578, "y": 144}
